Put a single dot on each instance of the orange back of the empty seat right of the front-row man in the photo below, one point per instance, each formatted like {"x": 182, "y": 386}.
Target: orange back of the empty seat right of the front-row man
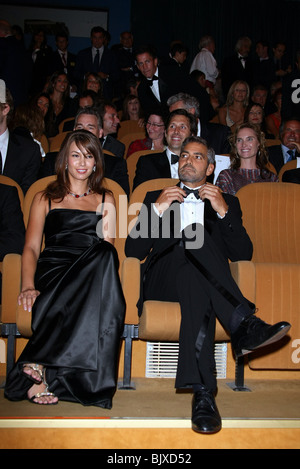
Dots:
{"x": 271, "y": 217}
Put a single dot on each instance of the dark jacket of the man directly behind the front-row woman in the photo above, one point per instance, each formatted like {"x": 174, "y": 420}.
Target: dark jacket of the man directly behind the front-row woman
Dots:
{"x": 115, "y": 169}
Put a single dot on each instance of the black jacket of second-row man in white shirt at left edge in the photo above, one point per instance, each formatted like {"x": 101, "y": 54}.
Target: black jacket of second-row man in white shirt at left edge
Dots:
{"x": 23, "y": 160}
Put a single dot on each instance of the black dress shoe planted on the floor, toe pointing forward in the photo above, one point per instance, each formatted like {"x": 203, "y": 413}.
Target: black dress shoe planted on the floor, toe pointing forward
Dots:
{"x": 205, "y": 414}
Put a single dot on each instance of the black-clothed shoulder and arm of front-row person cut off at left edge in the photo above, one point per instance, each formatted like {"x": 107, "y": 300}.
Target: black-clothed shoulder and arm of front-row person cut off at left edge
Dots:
{"x": 12, "y": 230}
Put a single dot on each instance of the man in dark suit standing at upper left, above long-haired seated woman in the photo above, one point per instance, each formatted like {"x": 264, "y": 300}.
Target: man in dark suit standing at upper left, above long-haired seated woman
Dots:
{"x": 62, "y": 59}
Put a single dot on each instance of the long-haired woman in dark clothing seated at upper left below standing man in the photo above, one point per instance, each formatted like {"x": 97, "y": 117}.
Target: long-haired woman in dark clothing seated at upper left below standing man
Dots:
{"x": 62, "y": 105}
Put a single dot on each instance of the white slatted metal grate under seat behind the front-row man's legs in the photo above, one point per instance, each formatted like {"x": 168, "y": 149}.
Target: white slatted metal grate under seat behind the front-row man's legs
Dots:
{"x": 162, "y": 357}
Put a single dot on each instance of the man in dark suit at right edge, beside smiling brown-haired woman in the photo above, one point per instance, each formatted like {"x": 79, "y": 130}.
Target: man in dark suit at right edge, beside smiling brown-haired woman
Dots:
{"x": 289, "y": 133}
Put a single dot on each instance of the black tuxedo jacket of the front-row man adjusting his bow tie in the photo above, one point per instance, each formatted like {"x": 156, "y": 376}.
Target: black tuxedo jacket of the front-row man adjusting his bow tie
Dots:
{"x": 228, "y": 235}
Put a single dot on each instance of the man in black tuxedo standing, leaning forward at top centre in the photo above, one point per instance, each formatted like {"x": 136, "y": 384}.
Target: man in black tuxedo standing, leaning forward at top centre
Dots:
{"x": 160, "y": 81}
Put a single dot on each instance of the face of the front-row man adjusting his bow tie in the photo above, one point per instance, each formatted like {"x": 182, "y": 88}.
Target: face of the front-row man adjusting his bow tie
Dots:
{"x": 193, "y": 166}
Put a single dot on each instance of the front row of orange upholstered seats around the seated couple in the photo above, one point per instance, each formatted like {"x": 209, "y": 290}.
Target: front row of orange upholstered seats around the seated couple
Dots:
{"x": 271, "y": 280}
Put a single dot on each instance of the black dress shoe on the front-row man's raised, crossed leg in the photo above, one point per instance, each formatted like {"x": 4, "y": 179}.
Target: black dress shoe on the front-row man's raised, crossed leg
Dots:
{"x": 254, "y": 333}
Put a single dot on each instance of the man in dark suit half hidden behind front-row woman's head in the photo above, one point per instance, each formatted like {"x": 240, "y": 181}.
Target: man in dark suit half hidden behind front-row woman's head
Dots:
{"x": 115, "y": 167}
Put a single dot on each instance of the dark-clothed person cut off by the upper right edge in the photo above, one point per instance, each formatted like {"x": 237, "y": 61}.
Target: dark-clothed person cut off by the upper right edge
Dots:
{"x": 291, "y": 92}
